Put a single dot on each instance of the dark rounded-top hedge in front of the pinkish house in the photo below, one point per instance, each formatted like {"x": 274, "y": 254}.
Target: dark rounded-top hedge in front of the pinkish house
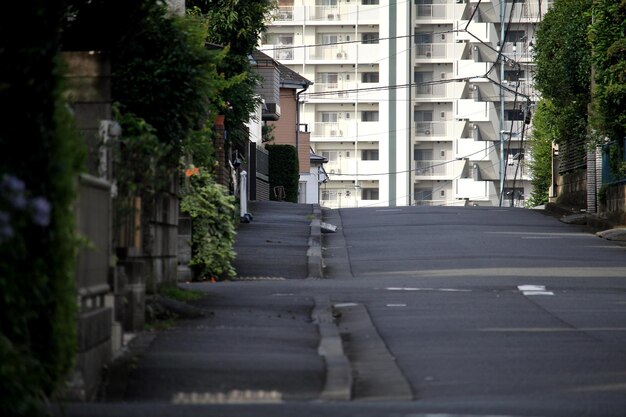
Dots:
{"x": 283, "y": 170}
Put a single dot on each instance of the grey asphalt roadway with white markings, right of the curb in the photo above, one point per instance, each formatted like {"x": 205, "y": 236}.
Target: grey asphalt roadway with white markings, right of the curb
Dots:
{"x": 491, "y": 310}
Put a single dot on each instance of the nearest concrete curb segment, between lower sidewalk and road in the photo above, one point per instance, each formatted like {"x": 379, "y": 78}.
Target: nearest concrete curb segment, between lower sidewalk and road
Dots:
{"x": 338, "y": 384}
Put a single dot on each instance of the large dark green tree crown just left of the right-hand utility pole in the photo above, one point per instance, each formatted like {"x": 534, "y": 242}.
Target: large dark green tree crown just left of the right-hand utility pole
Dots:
{"x": 563, "y": 57}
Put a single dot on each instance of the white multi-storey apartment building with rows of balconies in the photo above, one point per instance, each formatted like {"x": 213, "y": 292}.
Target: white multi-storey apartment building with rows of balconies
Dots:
{"x": 416, "y": 102}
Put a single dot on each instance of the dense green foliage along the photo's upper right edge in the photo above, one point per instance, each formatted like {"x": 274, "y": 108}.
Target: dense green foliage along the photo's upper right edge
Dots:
{"x": 607, "y": 34}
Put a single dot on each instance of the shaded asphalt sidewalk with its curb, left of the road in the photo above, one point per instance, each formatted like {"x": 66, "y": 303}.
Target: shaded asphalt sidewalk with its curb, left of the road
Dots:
{"x": 252, "y": 343}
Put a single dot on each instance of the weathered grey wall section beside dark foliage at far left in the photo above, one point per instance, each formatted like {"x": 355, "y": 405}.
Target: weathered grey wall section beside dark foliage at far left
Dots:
{"x": 89, "y": 96}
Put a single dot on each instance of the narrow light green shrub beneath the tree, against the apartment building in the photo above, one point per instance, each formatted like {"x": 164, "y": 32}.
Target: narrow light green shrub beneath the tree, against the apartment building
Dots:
{"x": 540, "y": 143}
